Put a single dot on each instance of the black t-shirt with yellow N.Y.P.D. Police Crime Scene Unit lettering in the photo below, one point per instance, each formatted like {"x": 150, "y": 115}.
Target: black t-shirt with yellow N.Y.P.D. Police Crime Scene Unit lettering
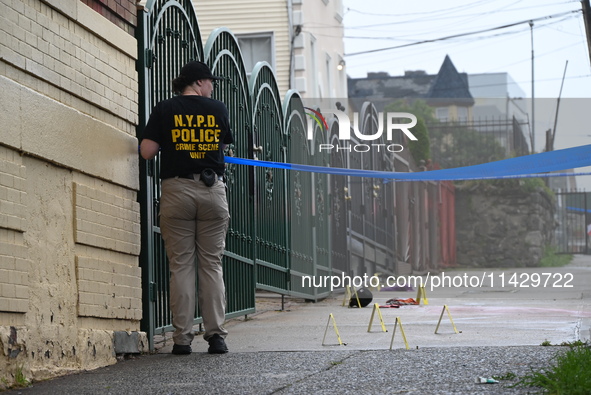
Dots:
{"x": 191, "y": 131}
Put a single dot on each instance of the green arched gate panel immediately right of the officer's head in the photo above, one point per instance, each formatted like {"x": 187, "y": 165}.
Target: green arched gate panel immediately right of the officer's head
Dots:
{"x": 223, "y": 55}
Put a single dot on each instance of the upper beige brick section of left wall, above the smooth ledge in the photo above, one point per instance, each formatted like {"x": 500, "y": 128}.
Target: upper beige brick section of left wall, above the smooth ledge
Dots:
{"x": 90, "y": 60}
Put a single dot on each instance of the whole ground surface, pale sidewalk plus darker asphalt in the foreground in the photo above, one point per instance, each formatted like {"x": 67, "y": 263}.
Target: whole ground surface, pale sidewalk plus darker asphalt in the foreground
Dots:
{"x": 501, "y": 329}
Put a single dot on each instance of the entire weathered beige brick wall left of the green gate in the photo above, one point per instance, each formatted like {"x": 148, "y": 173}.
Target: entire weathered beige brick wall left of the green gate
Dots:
{"x": 69, "y": 217}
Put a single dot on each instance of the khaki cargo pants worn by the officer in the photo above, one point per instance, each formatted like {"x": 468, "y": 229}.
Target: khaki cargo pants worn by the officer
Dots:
{"x": 194, "y": 221}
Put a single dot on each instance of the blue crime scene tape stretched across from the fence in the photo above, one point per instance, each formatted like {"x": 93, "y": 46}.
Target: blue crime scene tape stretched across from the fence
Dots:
{"x": 536, "y": 165}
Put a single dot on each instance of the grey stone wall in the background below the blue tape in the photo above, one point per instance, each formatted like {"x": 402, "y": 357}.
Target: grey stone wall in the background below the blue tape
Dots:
{"x": 503, "y": 224}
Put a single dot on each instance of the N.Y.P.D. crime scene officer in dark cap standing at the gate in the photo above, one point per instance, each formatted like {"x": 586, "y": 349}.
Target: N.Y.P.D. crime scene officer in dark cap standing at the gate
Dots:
{"x": 191, "y": 130}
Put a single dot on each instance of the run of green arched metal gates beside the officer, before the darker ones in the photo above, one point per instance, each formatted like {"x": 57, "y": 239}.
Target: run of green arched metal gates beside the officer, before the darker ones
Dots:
{"x": 261, "y": 250}
